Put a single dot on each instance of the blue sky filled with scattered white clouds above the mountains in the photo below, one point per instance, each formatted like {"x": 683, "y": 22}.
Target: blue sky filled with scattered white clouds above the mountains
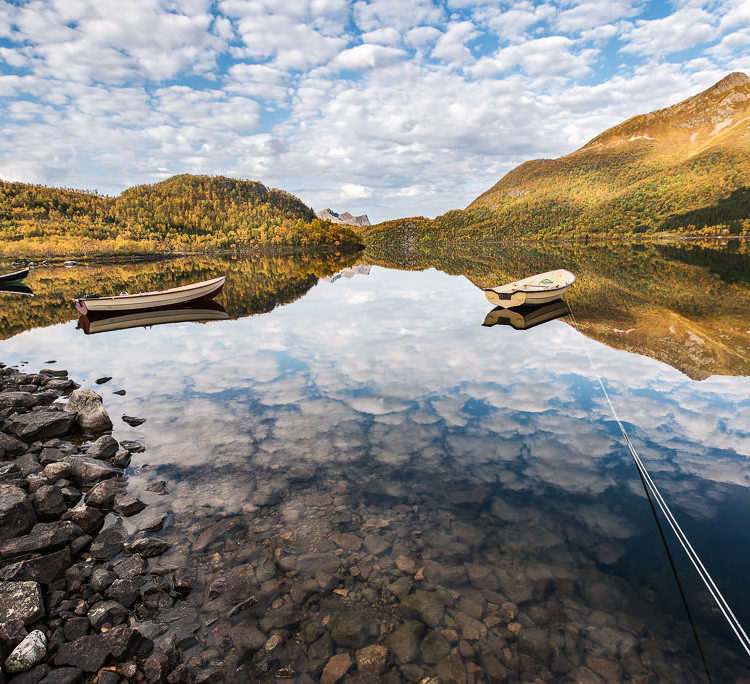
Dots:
{"x": 384, "y": 107}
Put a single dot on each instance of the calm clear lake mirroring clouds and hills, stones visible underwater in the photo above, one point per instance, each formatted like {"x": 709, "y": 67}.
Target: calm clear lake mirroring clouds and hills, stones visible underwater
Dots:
{"x": 355, "y": 442}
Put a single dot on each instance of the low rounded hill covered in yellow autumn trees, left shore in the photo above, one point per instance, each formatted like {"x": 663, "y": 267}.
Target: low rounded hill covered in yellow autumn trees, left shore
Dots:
{"x": 185, "y": 212}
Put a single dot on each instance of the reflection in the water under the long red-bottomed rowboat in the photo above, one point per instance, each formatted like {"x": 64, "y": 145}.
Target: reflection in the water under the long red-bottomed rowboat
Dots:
{"x": 198, "y": 312}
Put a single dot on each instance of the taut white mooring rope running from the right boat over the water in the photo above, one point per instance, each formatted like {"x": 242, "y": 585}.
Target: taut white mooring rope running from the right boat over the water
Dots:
{"x": 700, "y": 568}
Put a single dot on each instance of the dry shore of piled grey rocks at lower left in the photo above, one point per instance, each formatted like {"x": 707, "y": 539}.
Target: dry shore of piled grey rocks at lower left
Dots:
{"x": 73, "y": 581}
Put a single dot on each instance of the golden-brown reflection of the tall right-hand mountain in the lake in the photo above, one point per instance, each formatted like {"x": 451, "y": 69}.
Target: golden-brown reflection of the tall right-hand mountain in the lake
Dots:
{"x": 685, "y": 305}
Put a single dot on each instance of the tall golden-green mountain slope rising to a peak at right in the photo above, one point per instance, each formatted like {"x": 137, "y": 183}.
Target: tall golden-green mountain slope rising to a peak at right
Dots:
{"x": 648, "y": 174}
